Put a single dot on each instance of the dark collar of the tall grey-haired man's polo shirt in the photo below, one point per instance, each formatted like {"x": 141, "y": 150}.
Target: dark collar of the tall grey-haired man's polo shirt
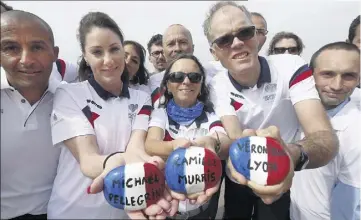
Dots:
{"x": 264, "y": 77}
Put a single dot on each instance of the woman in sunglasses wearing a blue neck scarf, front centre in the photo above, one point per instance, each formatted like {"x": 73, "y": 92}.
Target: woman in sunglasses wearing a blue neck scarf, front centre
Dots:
{"x": 185, "y": 118}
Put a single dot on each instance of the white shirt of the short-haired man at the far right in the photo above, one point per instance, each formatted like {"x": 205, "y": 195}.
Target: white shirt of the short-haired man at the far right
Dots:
{"x": 312, "y": 188}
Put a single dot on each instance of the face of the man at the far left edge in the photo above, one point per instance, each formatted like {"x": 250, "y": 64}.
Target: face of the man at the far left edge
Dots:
{"x": 27, "y": 53}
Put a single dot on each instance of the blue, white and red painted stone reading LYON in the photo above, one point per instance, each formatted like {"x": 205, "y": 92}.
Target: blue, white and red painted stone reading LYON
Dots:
{"x": 260, "y": 159}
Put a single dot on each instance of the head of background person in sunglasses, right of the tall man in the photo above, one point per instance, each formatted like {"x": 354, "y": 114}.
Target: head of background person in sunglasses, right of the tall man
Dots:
{"x": 286, "y": 42}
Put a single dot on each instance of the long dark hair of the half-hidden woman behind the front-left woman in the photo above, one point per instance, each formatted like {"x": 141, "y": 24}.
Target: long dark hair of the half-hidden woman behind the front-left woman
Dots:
{"x": 142, "y": 75}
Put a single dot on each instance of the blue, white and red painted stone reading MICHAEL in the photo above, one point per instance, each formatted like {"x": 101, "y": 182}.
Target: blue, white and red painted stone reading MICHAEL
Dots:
{"x": 134, "y": 186}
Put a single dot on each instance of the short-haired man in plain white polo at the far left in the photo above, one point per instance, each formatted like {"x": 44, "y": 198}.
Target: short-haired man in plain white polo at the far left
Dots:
{"x": 28, "y": 162}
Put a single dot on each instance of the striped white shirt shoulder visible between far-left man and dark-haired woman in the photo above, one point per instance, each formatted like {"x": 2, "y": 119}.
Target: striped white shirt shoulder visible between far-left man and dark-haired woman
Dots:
{"x": 63, "y": 70}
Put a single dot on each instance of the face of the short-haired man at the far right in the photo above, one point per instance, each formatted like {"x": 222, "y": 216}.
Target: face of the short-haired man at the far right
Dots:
{"x": 337, "y": 73}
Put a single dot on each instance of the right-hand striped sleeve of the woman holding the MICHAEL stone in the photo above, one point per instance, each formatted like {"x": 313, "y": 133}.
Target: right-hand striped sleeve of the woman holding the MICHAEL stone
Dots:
{"x": 142, "y": 118}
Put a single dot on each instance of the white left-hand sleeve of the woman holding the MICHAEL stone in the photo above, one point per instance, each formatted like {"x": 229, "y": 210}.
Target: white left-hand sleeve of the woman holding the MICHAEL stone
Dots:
{"x": 67, "y": 119}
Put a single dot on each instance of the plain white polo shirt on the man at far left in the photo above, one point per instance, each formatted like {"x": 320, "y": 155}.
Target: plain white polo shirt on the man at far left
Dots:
{"x": 28, "y": 162}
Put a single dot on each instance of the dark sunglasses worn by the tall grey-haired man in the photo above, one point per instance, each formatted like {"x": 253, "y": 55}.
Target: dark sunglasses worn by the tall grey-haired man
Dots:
{"x": 243, "y": 34}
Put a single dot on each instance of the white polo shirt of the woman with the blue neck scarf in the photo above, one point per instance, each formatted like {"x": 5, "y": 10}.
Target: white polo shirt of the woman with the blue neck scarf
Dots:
{"x": 205, "y": 125}
